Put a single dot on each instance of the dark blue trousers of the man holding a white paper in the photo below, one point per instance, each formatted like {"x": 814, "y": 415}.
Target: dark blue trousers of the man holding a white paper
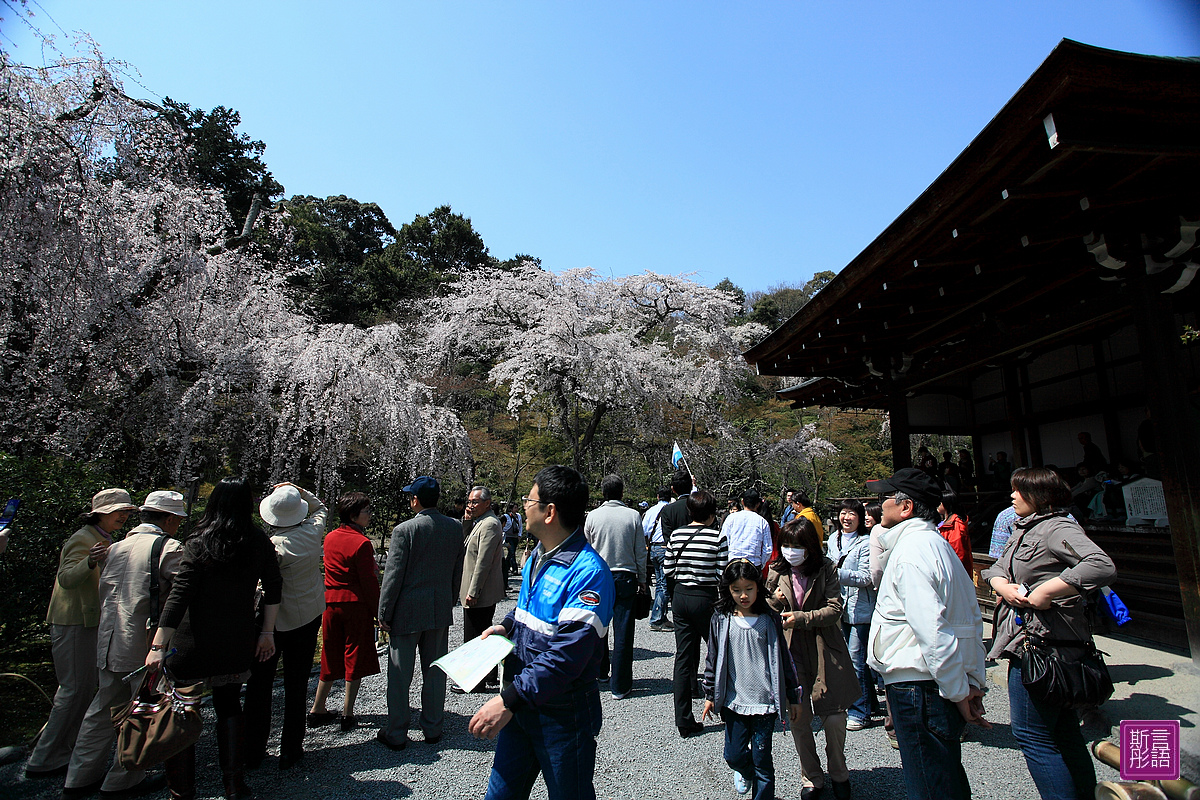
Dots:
{"x": 559, "y": 741}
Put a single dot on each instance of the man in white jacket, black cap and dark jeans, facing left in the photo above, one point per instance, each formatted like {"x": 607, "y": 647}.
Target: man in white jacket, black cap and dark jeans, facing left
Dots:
{"x": 927, "y": 640}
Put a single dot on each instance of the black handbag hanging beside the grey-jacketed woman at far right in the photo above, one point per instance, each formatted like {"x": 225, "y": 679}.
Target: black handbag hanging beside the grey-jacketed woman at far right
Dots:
{"x": 1065, "y": 673}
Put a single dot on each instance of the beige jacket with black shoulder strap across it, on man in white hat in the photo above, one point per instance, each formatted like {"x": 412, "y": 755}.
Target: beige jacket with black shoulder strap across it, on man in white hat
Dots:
{"x": 125, "y": 597}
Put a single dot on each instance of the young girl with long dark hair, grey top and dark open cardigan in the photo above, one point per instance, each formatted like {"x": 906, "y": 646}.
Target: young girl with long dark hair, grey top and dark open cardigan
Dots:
{"x": 749, "y": 677}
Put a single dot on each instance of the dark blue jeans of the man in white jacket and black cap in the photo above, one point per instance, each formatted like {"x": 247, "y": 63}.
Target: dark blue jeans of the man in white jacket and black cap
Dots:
{"x": 928, "y": 727}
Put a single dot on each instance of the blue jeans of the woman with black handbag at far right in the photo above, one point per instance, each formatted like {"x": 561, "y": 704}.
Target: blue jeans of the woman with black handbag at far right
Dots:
{"x": 1053, "y": 745}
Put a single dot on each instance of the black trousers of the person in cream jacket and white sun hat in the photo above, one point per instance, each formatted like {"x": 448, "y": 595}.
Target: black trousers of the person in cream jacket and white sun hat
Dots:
{"x": 297, "y": 648}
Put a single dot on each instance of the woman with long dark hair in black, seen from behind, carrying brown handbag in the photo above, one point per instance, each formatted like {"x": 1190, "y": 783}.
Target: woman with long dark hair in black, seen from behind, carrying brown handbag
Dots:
{"x": 209, "y": 619}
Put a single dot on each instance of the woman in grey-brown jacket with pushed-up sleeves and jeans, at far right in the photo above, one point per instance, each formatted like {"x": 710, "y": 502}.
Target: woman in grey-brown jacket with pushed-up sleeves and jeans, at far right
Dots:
{"x": 1048, "y": 566}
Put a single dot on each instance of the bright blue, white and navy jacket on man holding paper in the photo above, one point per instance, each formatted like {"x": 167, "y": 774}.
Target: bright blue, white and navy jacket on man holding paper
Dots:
{"x": 559, "y": 625}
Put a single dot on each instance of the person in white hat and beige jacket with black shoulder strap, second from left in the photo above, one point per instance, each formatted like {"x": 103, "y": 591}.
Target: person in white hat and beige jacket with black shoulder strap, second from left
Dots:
{"x": 123, "y": 645}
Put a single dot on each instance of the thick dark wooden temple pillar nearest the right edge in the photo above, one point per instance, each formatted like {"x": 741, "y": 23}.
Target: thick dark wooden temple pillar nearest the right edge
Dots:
{"x": 1178, "y": 438}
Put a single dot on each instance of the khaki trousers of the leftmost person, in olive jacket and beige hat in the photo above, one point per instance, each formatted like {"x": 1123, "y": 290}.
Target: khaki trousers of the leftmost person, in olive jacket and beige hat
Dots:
{"x": 74, "y": 648}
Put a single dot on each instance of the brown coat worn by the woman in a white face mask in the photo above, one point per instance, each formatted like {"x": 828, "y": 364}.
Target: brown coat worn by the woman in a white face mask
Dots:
{"x": 819, "y": 651}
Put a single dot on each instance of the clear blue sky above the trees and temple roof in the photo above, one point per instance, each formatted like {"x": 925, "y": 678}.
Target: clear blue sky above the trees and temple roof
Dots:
{"x": 759, "y": 141}
